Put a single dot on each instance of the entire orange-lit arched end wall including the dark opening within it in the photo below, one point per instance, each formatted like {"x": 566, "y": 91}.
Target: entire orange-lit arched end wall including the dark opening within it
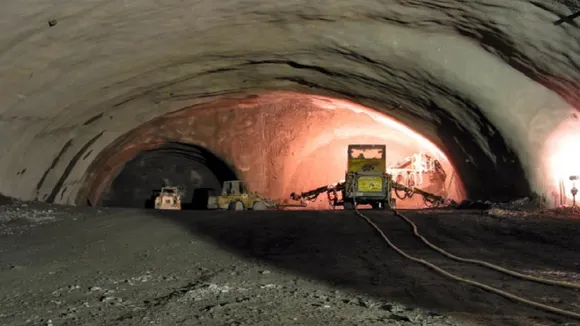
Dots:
{"x": 277, "y": 143}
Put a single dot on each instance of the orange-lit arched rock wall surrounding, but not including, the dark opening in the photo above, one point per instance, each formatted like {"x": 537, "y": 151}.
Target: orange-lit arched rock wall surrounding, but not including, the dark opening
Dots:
{"x": 266, "y": 140}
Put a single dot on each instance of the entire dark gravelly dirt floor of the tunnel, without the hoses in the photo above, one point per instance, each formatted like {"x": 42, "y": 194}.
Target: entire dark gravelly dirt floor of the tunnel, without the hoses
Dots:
{"x": 77, "y": 266}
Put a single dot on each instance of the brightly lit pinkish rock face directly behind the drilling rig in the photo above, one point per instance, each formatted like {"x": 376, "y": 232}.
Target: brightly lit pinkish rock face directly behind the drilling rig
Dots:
{"x": 323, "y": 160}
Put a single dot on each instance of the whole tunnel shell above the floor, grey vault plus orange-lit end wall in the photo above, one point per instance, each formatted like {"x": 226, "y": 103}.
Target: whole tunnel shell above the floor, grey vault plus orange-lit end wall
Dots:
{"x": 489, "y": 87}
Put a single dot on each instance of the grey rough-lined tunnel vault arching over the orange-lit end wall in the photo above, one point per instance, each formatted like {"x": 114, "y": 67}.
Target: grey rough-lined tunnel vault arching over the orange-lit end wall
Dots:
{"x": 487, "y": 80}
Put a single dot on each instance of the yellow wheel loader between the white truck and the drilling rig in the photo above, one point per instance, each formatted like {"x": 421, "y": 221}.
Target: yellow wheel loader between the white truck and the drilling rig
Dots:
{"x": 235, "y": 196}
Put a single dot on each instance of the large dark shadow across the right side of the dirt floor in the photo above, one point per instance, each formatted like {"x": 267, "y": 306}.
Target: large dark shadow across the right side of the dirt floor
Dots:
{"x": 342, "y": 250}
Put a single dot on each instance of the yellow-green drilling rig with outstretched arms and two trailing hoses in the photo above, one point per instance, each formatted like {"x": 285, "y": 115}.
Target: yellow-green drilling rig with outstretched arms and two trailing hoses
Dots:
{"x": 366, "y": 182}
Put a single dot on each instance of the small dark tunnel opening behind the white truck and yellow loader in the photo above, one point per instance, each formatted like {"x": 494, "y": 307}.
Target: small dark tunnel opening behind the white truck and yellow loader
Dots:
{"x": 193, "y": 168}
